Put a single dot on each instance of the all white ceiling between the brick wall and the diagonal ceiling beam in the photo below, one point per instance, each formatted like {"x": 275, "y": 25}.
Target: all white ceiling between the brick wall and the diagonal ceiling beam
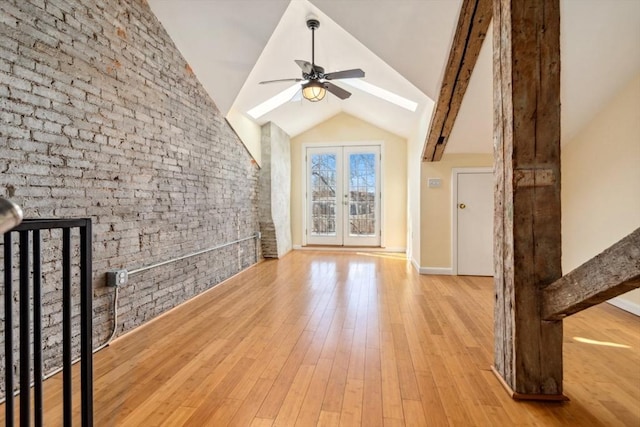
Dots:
{"x": 233, "y": 44}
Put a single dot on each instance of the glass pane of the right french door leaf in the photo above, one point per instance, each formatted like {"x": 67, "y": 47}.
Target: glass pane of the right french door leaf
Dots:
{"x": 362, "y": 194}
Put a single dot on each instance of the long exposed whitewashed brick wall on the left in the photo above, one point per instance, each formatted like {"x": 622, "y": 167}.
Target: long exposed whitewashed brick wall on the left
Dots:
{"x": 101, "y": 117}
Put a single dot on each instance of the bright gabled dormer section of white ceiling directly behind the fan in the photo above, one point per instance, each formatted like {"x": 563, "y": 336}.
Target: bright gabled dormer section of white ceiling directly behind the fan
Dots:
{"x": 335, "y": 50}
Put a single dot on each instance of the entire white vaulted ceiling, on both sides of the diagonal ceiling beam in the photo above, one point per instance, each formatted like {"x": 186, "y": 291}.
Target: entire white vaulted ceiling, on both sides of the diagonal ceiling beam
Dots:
{"x": 401, "y": 44}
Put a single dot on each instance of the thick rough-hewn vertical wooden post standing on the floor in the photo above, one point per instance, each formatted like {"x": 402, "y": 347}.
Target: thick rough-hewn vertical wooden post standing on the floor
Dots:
{"x": 527, "y": 248}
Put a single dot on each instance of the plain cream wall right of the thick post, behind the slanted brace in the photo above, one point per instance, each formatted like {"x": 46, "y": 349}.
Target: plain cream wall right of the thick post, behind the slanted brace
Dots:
{"x": 601, "y": 184}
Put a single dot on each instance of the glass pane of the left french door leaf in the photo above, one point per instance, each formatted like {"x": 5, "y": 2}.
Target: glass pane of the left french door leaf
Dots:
{"x": 323, "y": 194}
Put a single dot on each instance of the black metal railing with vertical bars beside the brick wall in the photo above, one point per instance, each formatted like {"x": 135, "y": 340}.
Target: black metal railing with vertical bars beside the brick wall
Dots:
{"x": 30, "y": 278}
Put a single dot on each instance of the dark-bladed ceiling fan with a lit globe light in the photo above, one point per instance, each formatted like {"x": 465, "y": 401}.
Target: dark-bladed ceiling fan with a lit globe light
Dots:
{"x": 315, "y": 80}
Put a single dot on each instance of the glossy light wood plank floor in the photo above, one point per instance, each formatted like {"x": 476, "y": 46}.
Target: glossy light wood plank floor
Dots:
{"x": 352, "y": 340}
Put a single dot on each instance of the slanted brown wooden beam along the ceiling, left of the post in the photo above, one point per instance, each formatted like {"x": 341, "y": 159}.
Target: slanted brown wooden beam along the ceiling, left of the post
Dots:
{"x": 473, "y": 23}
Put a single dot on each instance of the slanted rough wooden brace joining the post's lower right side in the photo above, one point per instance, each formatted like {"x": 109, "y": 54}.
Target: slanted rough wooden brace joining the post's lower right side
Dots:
{"x": 611, "y": 273}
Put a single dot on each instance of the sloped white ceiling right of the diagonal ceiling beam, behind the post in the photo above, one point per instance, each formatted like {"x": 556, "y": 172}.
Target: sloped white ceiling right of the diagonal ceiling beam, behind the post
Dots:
{"x": 600, "y": 49}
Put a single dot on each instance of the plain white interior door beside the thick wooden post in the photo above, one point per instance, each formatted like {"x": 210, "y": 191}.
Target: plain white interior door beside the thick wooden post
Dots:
{"x": 474, "y": 208}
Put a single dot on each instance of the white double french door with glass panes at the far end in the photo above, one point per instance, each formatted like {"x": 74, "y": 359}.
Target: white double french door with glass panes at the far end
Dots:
{"x": 343, "y": 195}
